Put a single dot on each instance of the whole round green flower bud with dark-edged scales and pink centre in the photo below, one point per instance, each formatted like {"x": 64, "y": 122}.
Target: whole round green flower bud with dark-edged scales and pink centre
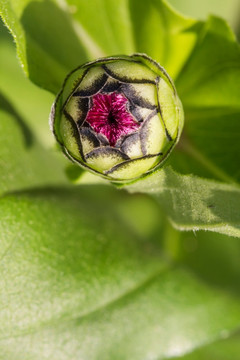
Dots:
{"x": 118, "y": 117}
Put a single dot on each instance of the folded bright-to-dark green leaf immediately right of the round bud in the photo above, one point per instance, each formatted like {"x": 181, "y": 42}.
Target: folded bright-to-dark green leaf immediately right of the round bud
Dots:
{"x": 209, "y": 87}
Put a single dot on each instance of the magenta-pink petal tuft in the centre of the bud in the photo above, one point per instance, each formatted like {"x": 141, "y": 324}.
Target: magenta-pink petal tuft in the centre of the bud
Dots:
{"x": 109, "y": 116}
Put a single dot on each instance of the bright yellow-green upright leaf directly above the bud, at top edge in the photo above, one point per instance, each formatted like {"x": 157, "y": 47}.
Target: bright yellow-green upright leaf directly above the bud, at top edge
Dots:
{"x": 104, "y": 26}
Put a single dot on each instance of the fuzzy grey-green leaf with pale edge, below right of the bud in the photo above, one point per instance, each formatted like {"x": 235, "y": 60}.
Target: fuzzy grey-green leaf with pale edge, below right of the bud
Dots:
{"x": 193, "y": 203}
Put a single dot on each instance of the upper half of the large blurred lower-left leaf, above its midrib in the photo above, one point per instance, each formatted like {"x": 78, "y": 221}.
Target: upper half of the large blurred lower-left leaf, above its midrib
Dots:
{"x": 70, "y": 251}
